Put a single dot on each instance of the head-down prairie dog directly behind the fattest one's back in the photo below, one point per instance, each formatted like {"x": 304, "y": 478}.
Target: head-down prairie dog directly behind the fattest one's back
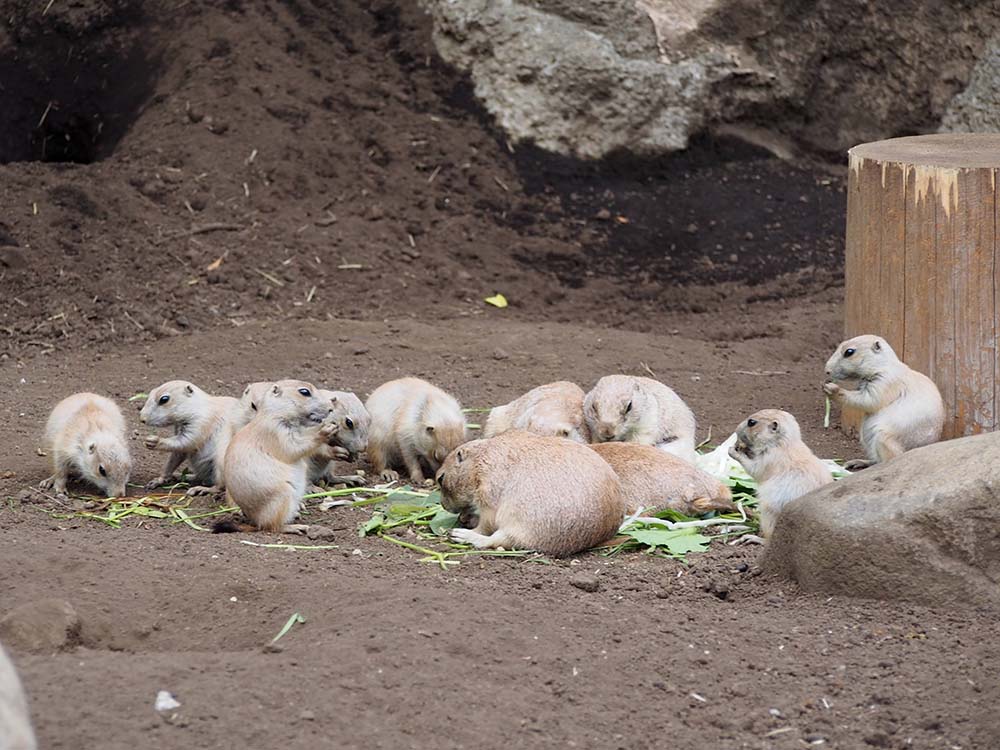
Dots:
{"x": 555, "y": 410}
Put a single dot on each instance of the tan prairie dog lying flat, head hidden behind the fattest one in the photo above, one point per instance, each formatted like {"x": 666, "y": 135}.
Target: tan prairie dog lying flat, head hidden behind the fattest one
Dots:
{"x": 654, "y": 479}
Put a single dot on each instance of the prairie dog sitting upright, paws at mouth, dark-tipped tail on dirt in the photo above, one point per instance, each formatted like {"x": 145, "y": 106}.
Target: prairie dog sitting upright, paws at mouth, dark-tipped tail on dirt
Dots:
{"x": 266, "y": 463}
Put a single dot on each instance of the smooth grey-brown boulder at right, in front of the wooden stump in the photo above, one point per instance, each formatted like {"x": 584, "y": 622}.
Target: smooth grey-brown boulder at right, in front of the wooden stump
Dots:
{"x": 924, "y": 527}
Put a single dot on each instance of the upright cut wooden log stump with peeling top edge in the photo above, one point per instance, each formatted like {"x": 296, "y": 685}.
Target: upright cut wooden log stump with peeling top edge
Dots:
{"x": 921, "y": 267}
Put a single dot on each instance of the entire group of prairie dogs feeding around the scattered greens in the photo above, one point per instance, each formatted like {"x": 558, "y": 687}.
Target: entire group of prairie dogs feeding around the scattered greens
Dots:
{"x": 556, "y": 470}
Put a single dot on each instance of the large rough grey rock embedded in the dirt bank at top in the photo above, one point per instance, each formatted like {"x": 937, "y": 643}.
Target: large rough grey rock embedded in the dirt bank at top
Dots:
{"x": 589, "y": 78}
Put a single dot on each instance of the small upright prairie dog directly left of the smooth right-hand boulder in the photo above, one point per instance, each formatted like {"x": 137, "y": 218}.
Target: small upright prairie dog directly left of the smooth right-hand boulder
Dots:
{"x": 769, "y": 446}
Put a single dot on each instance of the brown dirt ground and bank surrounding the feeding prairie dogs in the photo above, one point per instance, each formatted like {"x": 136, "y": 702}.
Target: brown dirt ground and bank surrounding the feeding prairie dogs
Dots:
{"x": 311, "y": 138}
